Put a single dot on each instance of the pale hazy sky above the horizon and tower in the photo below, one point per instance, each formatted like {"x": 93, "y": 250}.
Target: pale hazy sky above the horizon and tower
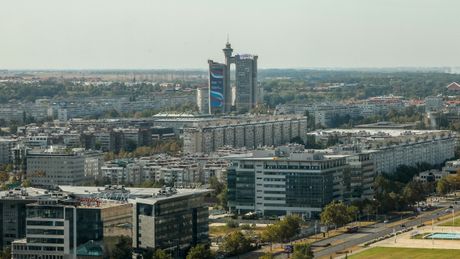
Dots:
{"x": 178, "y": 34}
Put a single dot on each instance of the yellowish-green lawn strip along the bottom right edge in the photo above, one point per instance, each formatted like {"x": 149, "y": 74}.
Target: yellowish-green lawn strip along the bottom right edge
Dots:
{"x": 407, "y": 253}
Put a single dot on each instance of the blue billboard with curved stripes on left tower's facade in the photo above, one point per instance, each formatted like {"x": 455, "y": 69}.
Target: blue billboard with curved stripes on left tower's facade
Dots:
{"x": 216, "y": 86}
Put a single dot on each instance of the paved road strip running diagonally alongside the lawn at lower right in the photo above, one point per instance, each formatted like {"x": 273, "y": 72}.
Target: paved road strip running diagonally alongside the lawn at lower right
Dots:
{"x": 379, "y": 231}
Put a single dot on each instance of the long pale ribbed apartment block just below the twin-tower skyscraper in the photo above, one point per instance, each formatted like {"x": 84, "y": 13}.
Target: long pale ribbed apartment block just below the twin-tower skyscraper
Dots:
{"x": 251, "y": 134}
